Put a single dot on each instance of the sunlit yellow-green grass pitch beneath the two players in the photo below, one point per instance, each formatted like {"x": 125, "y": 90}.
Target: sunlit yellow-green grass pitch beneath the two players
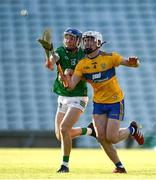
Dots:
{"x": 85, "y": 164}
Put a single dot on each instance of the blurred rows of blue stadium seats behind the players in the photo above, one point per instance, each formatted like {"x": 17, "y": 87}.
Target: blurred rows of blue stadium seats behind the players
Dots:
{"x": 26, "y": 100}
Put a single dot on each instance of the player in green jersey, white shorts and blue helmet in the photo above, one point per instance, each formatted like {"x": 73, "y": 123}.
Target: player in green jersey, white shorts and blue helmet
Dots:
{"x": 71, "y": 104}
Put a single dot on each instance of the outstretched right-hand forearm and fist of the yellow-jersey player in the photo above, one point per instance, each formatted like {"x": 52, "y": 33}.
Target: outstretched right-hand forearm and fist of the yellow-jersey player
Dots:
{"x": 132, "y": 61}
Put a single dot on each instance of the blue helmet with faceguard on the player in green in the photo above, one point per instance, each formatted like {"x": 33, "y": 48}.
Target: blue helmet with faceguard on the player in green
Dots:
{"x": 75, "y": 33}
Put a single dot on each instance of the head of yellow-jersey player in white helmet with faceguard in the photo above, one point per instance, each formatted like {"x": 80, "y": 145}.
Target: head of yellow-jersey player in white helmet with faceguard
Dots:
{"x": 92, "y": 40}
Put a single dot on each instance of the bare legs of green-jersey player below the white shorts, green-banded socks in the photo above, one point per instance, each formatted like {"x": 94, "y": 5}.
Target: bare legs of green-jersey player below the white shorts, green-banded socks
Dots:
{"x": 67, "y": 133}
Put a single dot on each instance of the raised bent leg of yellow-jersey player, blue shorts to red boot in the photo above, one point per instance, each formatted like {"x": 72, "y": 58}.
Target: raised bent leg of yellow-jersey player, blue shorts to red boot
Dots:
{"x": 114, "y": 133}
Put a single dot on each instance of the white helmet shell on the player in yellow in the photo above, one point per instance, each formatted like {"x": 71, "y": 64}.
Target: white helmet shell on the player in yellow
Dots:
{"x": 97, "y": 36}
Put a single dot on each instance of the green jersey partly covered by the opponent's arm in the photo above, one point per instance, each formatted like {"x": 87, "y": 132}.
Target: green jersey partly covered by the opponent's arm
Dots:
{"x": 69, "y": 60}
